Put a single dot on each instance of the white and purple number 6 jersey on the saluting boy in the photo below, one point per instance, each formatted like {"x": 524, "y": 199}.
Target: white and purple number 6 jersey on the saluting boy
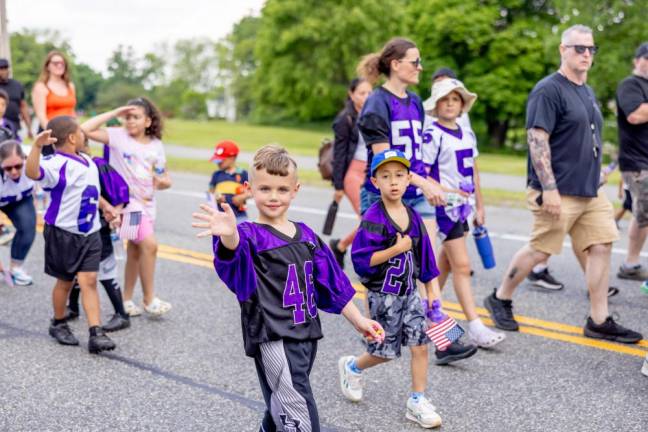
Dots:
{"x": 72, "y": 181}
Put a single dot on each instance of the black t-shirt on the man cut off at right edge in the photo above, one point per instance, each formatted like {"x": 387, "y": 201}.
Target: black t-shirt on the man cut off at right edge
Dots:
{"x": 633, "y": 139}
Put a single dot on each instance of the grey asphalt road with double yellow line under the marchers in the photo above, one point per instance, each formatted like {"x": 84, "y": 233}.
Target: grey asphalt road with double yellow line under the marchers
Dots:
{"x": 188, "y": 372}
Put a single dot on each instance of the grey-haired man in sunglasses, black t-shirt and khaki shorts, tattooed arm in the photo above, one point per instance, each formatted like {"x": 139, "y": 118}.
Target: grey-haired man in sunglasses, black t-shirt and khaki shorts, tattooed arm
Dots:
{"x": 564, "y": 172}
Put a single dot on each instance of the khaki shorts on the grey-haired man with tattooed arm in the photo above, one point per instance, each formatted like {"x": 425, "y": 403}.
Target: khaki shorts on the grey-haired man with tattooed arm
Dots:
{"x": 588, "y": 221}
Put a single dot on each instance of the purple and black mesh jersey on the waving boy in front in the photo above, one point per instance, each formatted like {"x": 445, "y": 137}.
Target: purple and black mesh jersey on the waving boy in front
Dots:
{"x": 281, "y": 282}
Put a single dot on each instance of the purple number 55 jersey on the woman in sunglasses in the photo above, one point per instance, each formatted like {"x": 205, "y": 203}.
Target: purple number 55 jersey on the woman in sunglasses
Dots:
{"x": 399, "y": 121}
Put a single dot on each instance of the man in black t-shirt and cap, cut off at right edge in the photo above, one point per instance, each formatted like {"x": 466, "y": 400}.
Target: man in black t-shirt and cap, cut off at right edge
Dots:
{"x": 632, "y": 118}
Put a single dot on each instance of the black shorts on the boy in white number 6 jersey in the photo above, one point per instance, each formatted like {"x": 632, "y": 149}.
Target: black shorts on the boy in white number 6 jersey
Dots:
{"x": 67, "y": 254}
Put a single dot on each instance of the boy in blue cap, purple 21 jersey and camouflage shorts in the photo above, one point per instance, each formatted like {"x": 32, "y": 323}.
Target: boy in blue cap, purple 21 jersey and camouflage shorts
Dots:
{"x": 390, "y": 251}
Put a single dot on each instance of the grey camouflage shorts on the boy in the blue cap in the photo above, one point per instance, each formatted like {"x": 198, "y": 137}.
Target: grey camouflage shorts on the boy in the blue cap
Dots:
{"x": 403, "y": 319}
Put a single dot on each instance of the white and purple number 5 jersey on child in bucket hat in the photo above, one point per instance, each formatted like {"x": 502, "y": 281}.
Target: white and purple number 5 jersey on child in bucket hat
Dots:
{"x": 449, "y": 157}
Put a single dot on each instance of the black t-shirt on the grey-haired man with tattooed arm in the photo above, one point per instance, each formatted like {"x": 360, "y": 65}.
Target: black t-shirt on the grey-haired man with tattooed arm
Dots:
{"x": 571, "y": 116}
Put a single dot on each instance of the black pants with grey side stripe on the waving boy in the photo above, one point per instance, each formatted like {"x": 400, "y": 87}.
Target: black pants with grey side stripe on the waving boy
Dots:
{"x": 284, "y": 368}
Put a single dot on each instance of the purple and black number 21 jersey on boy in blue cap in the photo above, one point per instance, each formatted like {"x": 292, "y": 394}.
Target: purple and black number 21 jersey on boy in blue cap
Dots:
{"x": 377, "y": 232}
